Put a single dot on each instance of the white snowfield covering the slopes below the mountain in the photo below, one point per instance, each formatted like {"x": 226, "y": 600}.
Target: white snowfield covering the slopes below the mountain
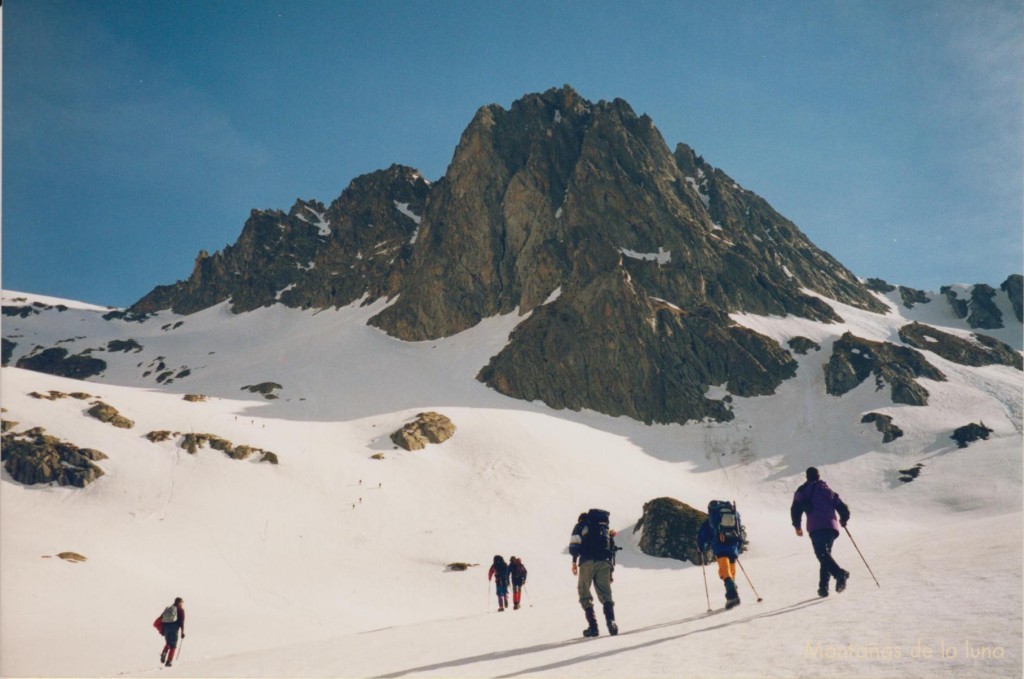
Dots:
{"x": 335, "y": 564}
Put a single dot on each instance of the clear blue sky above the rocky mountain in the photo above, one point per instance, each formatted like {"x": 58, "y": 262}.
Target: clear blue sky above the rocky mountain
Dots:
{"x": 137, "y": 134}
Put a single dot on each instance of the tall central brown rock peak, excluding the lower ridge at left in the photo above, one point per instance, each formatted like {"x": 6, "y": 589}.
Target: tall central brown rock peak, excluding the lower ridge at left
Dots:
{"x": 626, "y": 254}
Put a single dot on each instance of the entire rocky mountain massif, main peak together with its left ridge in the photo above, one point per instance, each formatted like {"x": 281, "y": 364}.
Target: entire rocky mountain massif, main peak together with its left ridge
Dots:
{"x": 626, "y": 258}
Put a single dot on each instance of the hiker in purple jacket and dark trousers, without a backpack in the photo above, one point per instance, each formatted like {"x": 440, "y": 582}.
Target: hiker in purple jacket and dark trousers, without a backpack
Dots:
{"x": 821, "y": 504}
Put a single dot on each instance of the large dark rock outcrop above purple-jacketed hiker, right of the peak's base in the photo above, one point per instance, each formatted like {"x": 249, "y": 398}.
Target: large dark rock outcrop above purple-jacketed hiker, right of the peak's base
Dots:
{"x": 856, "y": 359}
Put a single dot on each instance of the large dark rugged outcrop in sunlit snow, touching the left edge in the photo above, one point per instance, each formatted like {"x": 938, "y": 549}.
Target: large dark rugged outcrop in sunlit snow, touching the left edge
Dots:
{"x": 35, "y": 457}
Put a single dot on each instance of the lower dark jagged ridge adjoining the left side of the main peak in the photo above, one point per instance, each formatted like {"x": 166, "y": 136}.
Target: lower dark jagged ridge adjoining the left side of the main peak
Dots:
{"x": 312, "y": 258}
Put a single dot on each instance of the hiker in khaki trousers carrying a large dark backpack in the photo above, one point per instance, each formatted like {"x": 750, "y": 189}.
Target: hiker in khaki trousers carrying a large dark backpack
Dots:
{"x": 593, "y": 545}
